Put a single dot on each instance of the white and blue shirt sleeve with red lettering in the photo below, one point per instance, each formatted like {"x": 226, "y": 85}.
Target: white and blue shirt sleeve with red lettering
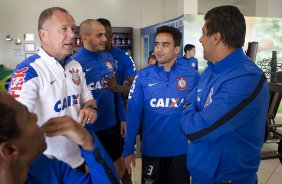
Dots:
{"x": 24, "y": 85}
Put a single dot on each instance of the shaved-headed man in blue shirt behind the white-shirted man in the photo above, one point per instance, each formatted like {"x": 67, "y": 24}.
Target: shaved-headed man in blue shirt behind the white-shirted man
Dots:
{"x": 97, "y": 65}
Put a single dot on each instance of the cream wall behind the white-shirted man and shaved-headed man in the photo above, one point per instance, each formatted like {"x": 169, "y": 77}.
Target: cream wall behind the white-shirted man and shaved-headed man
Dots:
{"x": 18, "y": 17}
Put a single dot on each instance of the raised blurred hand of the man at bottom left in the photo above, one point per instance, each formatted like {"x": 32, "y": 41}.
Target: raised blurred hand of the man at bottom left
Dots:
{"x": 67, "y": 127}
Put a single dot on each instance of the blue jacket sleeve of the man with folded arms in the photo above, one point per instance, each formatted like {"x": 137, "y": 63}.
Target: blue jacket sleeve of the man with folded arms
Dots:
{"x": 204, "y": 122}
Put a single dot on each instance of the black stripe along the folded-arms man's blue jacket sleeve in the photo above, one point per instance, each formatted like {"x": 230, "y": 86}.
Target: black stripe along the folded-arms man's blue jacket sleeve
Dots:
{"x": 230, "y": 114}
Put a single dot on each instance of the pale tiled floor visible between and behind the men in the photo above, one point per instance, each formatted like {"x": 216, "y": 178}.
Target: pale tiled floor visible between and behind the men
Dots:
{"x": 270, "y": 171}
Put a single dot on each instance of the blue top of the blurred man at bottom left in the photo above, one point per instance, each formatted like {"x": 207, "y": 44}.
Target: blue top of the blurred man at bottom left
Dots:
{"x": 51, "y": 170}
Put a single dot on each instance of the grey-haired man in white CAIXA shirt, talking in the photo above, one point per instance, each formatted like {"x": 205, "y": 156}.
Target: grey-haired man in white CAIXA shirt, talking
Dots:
{"x": 51, "y": 84}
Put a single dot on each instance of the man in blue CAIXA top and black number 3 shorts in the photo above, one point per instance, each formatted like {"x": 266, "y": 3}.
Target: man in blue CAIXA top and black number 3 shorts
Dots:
{"x": 155, "y": 100}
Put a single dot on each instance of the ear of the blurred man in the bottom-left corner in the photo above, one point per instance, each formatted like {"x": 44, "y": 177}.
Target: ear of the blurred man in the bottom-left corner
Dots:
{"x": 9, "y": 151}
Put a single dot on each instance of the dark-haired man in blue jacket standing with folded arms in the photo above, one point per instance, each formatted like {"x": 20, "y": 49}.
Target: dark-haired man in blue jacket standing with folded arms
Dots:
{"x": 225, "y": 121}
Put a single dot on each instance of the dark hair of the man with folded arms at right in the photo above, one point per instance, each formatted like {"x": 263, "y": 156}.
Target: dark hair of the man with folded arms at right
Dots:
{"x": 229, "y": 22}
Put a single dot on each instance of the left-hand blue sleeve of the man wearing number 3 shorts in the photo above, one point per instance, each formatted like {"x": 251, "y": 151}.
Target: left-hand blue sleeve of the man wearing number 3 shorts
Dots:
{"x": 134, "y": 115}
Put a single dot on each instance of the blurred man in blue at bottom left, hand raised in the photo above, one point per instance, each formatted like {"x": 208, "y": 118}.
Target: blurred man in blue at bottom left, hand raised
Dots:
{"x": 22, "y": 144}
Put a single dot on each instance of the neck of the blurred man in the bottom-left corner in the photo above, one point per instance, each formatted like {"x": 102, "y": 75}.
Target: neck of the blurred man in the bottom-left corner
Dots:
{"x": 13, "y": 174}
